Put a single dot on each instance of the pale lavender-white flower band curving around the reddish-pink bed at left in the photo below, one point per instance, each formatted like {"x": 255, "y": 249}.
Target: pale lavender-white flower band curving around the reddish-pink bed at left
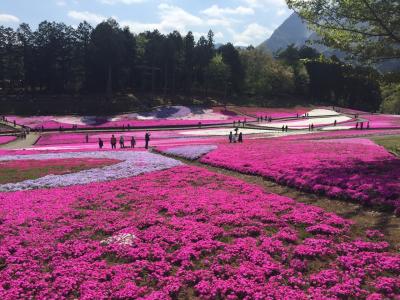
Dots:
{"x": 132, "y": 164}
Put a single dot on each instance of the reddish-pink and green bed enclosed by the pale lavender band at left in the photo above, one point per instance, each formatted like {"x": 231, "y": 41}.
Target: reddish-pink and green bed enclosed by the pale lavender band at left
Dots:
{"x": 20, "y": 170}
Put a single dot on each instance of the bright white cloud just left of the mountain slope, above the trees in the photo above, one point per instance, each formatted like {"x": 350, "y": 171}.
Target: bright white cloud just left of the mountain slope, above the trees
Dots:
{"x": 253, "y": 34}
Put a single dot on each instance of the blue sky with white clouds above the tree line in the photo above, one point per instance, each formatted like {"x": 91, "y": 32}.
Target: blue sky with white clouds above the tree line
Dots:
{"x": 242, "y": 22}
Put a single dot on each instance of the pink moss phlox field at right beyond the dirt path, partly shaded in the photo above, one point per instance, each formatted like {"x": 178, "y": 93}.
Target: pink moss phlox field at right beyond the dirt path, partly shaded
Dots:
{"x": 363, "y": 172}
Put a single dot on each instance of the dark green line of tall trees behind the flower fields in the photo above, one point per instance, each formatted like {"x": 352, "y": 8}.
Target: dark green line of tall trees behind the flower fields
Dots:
{"x": 58, "y": 59}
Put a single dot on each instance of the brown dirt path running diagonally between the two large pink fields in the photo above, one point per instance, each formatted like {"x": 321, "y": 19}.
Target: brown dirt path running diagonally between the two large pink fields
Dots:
{"x": 364, "y": 218}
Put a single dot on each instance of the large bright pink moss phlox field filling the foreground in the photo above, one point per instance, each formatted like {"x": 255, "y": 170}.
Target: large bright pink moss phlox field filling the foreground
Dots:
{"x": 183, "y": 233}
